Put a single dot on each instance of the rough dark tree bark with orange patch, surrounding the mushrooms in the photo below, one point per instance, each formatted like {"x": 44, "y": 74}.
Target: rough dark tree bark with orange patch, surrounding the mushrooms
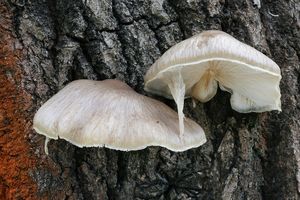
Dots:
{"x": 47, "y": 43}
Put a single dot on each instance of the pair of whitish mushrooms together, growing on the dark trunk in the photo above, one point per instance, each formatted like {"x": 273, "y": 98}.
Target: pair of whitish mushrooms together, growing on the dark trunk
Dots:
{"x": 109, "y": 113}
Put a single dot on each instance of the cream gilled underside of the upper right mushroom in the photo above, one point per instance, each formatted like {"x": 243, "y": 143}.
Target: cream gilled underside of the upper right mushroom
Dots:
{"x": 253, "y": 89}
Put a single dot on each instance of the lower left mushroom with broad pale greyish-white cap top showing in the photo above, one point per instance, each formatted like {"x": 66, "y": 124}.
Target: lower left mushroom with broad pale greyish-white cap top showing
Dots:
{"x": 109, "y": 113}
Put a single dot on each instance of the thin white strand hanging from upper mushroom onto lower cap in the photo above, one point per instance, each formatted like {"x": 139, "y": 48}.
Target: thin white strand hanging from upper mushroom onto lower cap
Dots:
{"x": 177, "y": 88}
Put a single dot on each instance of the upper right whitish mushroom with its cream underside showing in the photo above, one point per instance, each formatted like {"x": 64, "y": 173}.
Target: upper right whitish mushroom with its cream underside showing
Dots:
{"x": 196, "y": 66}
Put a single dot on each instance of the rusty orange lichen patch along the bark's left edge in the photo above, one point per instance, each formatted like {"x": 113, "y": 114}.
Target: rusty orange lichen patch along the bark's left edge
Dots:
{"x": 16, "y": 158}
